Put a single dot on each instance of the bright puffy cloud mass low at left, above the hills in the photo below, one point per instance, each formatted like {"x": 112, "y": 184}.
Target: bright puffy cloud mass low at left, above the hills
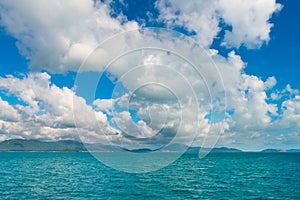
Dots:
{"x": 48, "y": 113}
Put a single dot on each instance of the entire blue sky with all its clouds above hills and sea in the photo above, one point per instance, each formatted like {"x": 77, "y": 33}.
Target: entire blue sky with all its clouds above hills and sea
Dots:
{"x": 145, "y": 74}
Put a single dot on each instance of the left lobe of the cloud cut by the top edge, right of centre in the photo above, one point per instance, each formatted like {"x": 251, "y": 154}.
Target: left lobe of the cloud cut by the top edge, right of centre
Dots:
{"x": 196, "y": 16}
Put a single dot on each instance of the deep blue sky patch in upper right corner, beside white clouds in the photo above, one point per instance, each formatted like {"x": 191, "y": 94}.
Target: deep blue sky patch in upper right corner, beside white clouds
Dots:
{"x": 279, "y": 57}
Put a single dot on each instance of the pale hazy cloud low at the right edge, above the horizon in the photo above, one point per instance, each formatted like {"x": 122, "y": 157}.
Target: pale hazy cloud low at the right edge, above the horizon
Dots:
{"x": 282, "y": 131}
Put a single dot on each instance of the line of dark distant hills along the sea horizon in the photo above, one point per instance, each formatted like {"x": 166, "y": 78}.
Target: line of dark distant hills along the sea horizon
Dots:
{"x": 77, "y": 146}
